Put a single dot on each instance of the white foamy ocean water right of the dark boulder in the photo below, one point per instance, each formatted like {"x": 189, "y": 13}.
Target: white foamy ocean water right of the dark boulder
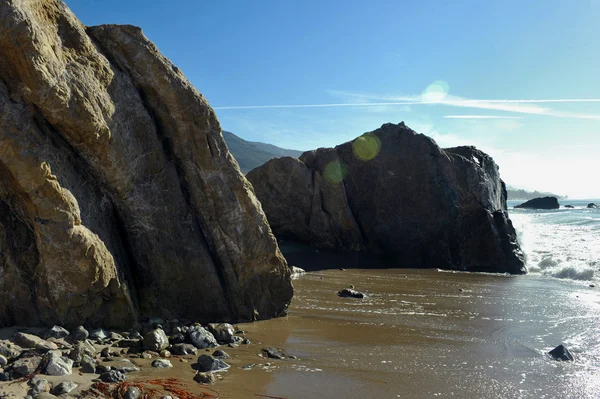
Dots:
{"x": 562, "y": 243}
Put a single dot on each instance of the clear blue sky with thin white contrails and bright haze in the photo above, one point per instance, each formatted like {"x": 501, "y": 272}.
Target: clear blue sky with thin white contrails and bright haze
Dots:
{"x": 518, "y": 79}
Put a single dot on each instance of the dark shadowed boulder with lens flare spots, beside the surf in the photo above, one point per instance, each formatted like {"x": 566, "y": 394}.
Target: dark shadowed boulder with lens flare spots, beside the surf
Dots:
{"x": 395, "y": 193}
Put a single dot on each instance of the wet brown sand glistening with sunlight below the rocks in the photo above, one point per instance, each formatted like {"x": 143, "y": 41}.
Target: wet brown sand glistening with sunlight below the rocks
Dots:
{"x": 418, "y": 334}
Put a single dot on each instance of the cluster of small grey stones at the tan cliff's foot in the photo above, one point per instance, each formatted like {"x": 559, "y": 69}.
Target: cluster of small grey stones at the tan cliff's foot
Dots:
{"x": 109, "y": 354}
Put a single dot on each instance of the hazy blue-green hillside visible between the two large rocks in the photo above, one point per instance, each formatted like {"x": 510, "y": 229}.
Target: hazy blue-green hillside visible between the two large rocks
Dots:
{"x": 252, "y": 154}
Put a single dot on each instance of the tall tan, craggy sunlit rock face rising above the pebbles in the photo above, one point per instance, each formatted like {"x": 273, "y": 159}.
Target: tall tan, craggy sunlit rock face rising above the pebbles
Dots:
{"x": 118, "y": 195}
